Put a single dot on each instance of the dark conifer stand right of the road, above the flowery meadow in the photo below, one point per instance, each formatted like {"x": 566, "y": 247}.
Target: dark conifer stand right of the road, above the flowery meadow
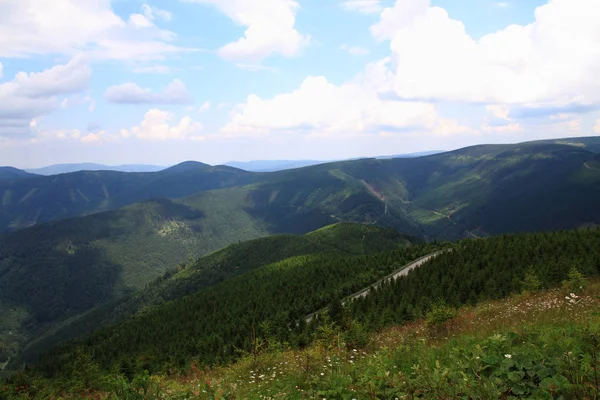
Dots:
{"x": 478, "y": 270}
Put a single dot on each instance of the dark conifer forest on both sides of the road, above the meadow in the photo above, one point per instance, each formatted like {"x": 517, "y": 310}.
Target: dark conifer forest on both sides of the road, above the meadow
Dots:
{"x": 207, "y": 327}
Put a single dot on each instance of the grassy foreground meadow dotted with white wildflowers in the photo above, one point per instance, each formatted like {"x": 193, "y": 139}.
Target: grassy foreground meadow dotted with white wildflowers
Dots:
{"x": 542, "y": 345}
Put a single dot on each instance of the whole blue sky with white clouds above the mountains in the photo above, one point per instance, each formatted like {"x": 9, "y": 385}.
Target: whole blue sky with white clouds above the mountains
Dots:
{"x": 164, "y": 81}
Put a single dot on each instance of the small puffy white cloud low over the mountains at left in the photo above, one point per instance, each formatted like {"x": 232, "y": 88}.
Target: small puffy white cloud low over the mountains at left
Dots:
{"x": 157, "y": 126}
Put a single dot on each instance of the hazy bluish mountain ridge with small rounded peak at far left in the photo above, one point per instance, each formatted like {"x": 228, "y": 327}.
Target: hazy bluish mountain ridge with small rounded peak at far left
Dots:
{"x": 47, "y": 198}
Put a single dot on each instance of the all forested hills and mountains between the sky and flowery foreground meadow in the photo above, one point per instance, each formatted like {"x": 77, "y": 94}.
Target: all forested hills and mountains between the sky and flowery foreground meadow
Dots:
{"x": 133, "y": 268}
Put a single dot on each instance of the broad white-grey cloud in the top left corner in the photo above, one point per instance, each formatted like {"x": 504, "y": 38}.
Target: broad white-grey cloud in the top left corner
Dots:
{"x": 38, "y": 27}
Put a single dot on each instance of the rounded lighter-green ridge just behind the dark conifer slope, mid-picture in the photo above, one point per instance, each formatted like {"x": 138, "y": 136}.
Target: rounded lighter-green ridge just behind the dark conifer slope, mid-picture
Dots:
{"x": 237, "y": 259}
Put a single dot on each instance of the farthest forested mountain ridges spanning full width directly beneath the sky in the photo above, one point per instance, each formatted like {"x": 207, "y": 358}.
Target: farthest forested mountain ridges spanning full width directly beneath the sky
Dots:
{"x": 476, "y": 191}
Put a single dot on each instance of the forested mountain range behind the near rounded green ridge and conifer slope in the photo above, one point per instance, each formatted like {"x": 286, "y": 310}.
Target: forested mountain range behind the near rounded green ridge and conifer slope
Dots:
{"x": 76, "y": 241}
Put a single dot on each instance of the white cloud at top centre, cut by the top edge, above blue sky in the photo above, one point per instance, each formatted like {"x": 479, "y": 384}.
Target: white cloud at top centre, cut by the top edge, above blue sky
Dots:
{"x": 270, "y": 28}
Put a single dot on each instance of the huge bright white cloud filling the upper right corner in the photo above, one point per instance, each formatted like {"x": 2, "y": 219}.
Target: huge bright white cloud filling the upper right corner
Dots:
{"x": 551, "y": 63}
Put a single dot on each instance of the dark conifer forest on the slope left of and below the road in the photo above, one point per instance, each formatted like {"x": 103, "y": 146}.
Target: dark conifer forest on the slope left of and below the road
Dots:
{"x": 212, "y": 323}
